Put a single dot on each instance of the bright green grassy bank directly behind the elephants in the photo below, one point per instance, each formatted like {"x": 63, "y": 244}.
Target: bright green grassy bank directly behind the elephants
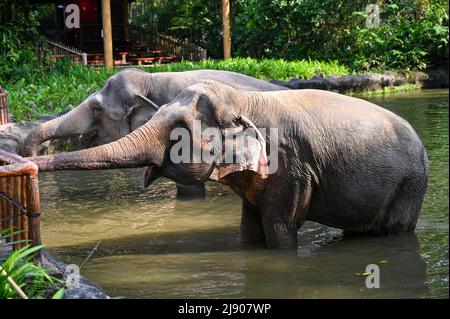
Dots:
{"x": 65, "y": 86}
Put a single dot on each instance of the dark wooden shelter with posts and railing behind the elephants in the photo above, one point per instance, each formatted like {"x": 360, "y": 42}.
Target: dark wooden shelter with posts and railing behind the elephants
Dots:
{"x": 103, "y": 36}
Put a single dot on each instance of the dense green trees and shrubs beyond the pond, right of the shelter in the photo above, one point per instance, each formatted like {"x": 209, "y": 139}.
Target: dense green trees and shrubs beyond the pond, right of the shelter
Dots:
{"x": 413, "y": 33}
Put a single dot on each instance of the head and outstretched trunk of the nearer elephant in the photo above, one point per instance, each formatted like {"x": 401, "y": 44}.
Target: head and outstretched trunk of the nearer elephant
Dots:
{"x": 218, "y": 108}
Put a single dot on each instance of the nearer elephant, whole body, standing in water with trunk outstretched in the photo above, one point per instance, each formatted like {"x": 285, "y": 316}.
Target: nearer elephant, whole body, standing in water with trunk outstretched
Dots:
{"x": 340, "y": 161}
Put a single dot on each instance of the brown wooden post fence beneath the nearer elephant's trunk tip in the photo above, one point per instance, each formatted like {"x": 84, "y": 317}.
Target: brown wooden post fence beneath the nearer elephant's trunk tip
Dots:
{"x": 19, "y": 199}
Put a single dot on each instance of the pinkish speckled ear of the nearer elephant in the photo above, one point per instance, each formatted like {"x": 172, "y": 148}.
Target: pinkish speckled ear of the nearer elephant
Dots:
{"x": 244, "y": 149}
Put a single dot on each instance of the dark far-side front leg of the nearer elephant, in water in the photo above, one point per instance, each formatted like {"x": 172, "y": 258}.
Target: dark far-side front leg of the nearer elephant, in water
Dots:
{"x": 251, "y": 225}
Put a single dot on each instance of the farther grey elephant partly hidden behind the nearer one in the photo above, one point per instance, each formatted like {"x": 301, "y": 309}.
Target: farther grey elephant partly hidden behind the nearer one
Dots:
{"x": 128, "y": 100}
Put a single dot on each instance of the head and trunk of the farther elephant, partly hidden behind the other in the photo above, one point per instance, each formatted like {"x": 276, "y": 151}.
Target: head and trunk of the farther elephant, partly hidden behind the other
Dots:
{"x": 107, "y": 115}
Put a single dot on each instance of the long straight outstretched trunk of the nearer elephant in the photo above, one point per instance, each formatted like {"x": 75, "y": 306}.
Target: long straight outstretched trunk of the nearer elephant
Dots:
{"x": 138, "y": 149}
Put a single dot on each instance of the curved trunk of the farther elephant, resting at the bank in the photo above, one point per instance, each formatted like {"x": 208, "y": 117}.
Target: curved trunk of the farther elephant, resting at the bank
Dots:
{"x": 76, "y": 122}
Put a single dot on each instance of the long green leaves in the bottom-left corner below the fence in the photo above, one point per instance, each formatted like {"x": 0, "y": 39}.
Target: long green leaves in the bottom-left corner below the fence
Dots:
{"x": 31, "y": 278}
